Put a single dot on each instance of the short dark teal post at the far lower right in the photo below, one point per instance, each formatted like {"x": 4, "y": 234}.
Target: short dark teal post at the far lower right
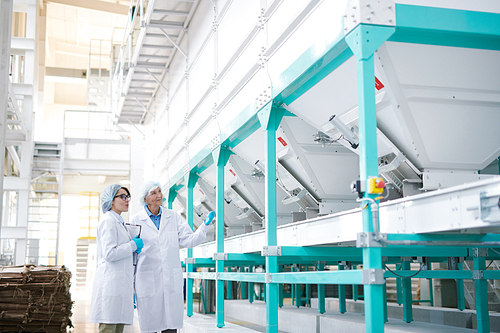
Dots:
{"x": 481, "y": 291}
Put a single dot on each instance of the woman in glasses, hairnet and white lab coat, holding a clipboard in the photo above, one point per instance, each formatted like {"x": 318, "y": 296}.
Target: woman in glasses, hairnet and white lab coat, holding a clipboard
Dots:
{"x": 112, "y": 299}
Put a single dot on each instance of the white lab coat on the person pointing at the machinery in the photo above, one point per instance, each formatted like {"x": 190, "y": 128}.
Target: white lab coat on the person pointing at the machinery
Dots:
{"x": 158, "y": 278}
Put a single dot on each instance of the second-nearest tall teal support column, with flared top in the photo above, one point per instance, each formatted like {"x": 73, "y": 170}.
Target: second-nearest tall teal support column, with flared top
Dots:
{"x": 270, "y": 118}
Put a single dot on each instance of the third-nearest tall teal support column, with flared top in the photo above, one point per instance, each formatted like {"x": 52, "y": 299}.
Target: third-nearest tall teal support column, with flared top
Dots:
{"x": 220, "y": 156}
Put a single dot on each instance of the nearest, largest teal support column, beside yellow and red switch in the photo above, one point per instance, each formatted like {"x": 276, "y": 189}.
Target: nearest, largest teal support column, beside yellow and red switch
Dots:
{"x": 364, "y": 40}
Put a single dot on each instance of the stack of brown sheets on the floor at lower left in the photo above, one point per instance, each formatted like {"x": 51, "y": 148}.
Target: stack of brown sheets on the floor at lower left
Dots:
{"x": 35, "y": 299}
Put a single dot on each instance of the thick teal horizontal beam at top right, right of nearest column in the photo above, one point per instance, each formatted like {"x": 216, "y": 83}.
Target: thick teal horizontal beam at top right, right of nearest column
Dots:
{"x": 447, "y": 27}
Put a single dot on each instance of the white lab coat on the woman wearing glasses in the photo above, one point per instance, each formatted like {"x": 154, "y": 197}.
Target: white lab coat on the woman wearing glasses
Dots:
{"x": 112, "y": 298}
